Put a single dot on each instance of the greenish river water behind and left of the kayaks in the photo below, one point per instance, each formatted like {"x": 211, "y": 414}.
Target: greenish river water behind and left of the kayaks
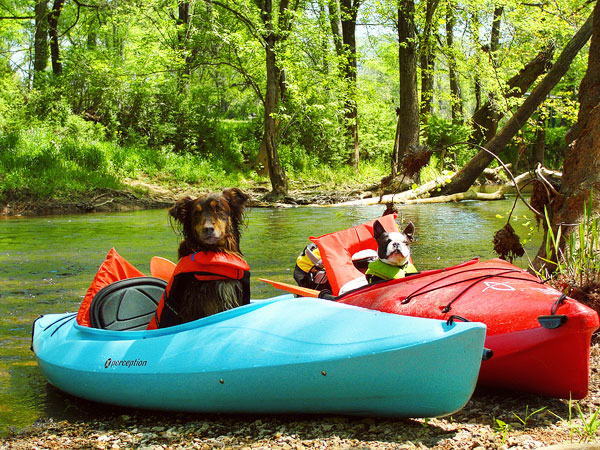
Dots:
{"x": 47, "y": 263}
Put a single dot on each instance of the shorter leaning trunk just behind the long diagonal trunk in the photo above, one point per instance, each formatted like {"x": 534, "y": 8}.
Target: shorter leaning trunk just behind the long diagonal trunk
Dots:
{"x": 485, "y": 119}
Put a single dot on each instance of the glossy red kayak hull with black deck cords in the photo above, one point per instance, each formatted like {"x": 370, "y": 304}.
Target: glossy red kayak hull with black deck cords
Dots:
{"x": 527, "y": 356}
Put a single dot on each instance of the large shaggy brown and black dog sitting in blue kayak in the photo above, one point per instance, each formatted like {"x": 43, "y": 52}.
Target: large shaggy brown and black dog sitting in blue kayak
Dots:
{"x": 209, "y": 224}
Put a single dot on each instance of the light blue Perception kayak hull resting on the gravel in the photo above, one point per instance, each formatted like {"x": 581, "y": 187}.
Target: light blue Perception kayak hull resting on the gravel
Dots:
{"x": 282, "y": 355}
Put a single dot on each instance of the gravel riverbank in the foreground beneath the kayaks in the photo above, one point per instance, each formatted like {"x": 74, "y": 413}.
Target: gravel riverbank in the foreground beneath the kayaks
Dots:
{"x": 490, "y": 420}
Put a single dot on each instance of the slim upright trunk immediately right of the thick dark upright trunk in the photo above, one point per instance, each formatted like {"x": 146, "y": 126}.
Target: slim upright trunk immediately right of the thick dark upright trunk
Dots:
{"x": 427, "y": 59}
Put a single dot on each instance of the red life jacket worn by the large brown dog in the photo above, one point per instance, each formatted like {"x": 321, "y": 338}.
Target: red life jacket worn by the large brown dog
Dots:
{"x": 205, "y": 266}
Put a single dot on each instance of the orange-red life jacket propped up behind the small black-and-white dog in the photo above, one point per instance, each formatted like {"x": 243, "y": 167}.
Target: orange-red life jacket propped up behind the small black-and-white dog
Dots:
{"x": 337, "y": 249}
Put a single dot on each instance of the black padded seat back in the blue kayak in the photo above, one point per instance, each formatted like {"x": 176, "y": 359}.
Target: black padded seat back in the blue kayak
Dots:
{"x": 126, "y": 305}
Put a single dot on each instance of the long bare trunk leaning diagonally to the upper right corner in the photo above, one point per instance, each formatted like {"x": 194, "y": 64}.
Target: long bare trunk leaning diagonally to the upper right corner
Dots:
{"x": 463, "y": 180}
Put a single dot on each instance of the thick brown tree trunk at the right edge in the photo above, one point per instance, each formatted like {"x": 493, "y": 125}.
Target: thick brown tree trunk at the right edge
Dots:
{"x": 581, "y": 175}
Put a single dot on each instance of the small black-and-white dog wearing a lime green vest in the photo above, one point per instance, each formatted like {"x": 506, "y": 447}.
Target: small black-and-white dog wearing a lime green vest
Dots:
{"x": 393, "y": 251}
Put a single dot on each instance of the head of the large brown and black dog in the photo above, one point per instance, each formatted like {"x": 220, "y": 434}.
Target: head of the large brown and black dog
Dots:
{"x": 210, "y": 222}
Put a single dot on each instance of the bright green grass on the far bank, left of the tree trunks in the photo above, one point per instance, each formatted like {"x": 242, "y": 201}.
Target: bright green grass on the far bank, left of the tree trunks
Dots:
{"x": 43, "y": 164}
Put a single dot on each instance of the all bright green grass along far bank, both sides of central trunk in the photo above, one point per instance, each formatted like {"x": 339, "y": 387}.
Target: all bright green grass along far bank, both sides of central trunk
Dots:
{"x": 56, "y": 163}
